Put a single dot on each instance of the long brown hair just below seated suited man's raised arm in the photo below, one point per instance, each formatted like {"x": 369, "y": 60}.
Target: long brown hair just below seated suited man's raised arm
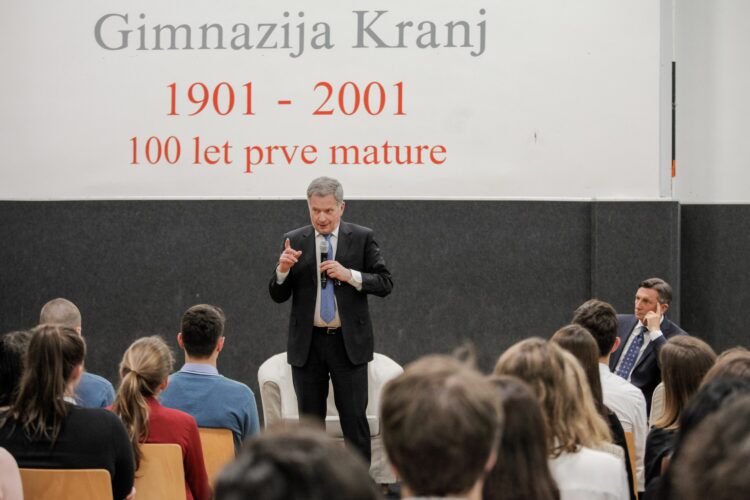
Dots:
{"x": 684, "y": 362}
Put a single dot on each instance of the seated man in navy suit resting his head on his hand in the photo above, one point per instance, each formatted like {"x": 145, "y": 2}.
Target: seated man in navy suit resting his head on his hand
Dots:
{"x": 642, "y": 336}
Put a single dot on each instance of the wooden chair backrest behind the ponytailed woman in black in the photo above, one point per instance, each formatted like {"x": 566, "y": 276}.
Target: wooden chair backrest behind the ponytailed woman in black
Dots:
{"x": 81, "y": 484}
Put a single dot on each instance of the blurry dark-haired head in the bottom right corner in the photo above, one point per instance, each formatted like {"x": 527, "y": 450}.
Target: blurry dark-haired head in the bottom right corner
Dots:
{"x": 714, "y": 458}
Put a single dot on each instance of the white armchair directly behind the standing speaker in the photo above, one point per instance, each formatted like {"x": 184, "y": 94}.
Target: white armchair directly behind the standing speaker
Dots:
{"x": 280, "y": 404}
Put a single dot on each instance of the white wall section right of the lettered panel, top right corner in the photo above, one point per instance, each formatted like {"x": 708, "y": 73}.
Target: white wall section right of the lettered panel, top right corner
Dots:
{"x": 713, "y": 101}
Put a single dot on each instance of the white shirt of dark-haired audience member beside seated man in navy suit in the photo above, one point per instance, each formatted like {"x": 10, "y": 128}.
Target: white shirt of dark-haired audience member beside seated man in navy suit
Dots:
{"x": 629, "y": 404}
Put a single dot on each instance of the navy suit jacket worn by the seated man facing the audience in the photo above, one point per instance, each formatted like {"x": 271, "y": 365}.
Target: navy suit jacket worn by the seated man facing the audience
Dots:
{"x": 646, "y": 374}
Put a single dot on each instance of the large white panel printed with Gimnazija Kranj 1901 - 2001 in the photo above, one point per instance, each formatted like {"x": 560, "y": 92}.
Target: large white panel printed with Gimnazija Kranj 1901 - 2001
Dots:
{"x": 563, "y": 103}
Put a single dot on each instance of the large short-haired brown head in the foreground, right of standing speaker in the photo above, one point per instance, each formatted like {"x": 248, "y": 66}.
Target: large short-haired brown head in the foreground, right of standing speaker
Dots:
{"x": 441, "y": 423}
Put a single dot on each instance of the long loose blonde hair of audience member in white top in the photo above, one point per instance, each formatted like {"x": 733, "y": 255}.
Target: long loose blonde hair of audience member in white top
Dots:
{"x": 556, "y": 377}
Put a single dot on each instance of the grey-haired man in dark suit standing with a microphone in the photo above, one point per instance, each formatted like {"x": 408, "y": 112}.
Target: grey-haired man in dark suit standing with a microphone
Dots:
{"x": 328, "y": 269}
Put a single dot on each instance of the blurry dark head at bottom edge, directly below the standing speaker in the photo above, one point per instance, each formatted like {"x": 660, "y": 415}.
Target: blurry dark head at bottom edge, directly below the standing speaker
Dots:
{"x": 295, "y": 463}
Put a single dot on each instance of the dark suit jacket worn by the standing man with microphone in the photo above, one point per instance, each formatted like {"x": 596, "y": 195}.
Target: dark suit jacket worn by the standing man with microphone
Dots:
{"x": 356, "y": 249}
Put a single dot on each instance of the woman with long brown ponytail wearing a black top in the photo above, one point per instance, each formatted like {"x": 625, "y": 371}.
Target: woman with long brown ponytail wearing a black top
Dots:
{"x": 43, "y": 430}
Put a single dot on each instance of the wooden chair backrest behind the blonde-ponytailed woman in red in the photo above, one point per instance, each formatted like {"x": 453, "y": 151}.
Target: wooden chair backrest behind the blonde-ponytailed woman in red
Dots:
{"x": 161, "y": 475}
